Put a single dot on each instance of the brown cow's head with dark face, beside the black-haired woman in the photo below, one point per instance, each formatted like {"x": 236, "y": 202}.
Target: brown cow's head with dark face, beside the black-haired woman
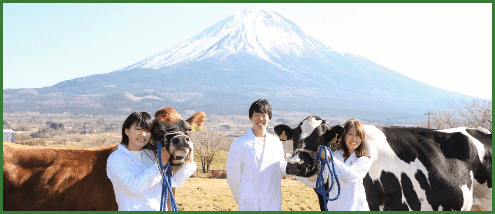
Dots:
{"x": 174, "y": 134}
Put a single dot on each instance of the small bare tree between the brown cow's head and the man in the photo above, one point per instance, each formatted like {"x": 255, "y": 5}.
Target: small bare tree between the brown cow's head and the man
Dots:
{"x": 206, "y": 144}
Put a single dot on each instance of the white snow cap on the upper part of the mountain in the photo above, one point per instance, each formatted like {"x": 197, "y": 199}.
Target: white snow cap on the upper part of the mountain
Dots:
{"x": 262, "y": 33}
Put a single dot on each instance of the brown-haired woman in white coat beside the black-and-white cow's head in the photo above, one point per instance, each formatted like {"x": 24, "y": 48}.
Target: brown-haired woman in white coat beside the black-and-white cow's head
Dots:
{"x": 351, "y": 165}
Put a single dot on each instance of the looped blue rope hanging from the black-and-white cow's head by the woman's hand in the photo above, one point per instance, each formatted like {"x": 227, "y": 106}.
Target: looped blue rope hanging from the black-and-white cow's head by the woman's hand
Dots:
{"x": 320, "y": 182}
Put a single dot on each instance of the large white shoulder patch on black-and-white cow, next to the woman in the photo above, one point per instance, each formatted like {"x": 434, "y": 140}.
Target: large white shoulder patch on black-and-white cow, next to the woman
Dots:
{"x": 377, "y": 146}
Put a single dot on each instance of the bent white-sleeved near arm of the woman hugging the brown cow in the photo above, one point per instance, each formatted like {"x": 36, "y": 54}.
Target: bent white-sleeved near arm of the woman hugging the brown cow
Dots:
{"x": 119, "y": 173}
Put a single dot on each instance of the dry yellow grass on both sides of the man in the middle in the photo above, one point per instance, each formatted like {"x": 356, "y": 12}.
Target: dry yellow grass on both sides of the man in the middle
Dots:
{"x": 199, "y": 194}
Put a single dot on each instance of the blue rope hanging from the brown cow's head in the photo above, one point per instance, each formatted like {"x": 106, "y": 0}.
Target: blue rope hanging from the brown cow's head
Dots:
{"x": 167, "y": 182}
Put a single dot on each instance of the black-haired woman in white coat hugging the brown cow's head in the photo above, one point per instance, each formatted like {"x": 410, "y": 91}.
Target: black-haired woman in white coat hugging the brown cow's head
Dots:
{"x": 134, "y": 171}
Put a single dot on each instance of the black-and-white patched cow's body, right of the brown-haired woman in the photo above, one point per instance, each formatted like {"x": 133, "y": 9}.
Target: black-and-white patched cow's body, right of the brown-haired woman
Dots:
{"x": 422, "y": 169}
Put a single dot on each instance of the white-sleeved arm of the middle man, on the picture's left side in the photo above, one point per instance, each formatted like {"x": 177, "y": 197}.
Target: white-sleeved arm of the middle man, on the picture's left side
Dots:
{"x": 234, "y": 169}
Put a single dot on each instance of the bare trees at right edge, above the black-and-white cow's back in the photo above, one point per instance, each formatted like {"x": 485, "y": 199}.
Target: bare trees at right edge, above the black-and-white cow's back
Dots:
{"x": 477, "y": 113}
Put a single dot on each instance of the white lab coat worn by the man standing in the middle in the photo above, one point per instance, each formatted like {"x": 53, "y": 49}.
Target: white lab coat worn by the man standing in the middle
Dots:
{"x": 256, "y": 185}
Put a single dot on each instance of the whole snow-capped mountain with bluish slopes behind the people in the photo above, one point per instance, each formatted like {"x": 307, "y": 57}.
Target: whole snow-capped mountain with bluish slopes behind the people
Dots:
{"x": 223, "y": 69}
